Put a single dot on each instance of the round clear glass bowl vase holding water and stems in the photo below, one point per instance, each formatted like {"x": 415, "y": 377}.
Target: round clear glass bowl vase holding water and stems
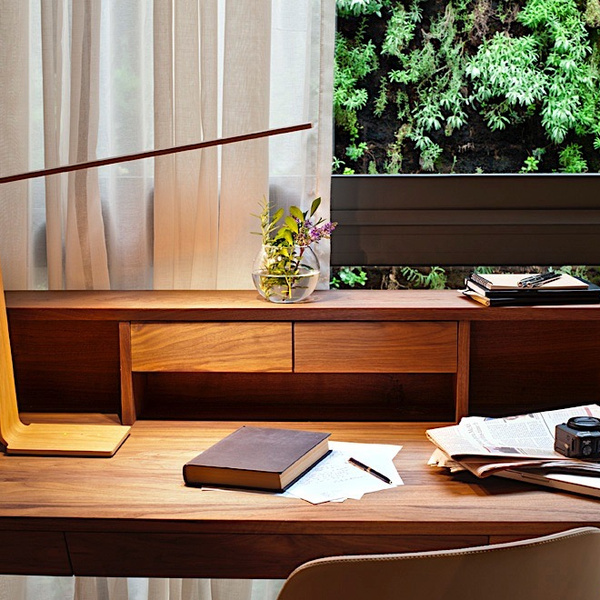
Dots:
{"x": 285, "y": 274}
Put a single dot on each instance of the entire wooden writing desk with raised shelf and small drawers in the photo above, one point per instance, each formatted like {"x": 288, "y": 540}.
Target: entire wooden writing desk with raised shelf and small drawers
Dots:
{"x": 131, "y": 514}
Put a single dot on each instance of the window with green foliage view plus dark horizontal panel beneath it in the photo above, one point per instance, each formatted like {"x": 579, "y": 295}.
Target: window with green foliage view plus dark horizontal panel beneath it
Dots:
{"x": 493, "y": 109}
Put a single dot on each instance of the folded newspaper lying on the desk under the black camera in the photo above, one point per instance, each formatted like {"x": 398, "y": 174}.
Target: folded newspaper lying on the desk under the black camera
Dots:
{"x": 485, "y": 446}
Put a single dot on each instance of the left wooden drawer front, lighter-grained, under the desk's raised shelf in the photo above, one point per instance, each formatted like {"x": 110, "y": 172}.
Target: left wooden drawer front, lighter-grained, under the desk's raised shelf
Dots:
{"x": 216, "y": 347}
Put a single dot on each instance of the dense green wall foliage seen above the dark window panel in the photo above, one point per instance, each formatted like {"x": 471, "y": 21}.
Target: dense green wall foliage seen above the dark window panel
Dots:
{"x": 508, "y": 62}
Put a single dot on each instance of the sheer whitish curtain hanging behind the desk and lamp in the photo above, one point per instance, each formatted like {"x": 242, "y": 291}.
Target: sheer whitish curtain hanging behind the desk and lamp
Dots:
{"x": 81, "y": 79}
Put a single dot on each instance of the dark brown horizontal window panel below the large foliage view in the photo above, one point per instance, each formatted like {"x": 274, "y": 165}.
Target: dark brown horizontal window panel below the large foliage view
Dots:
{"x": 457, "y": 220}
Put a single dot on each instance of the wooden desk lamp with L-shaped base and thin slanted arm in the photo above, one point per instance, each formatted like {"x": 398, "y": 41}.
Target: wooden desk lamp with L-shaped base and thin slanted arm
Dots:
{"x": 74, "y": 439}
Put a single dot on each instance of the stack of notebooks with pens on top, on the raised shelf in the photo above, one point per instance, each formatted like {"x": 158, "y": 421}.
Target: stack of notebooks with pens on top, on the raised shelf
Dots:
{"x": 514, "y": 289}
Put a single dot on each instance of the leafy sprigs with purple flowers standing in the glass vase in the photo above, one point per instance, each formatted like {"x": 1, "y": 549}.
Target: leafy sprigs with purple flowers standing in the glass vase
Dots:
{"x": 285, "y": 240}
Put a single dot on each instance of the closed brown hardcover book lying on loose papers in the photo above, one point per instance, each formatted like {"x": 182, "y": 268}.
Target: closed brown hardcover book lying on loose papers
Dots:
{"x": 261, "y": 458}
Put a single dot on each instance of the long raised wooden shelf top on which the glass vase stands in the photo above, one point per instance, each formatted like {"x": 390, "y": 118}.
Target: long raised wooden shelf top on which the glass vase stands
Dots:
{"x": 334, "y": 305}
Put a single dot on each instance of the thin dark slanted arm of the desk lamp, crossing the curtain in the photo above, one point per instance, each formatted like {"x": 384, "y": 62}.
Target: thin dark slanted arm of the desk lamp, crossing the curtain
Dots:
{"x": 152, "y": 153}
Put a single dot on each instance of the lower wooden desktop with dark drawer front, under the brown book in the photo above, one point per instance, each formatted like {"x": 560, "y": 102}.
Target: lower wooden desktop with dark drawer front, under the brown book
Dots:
{"x": 132, "y": 515}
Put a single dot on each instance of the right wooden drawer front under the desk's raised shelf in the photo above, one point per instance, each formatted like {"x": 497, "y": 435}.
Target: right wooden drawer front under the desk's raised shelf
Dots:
{"x": 376, "y": 347}
